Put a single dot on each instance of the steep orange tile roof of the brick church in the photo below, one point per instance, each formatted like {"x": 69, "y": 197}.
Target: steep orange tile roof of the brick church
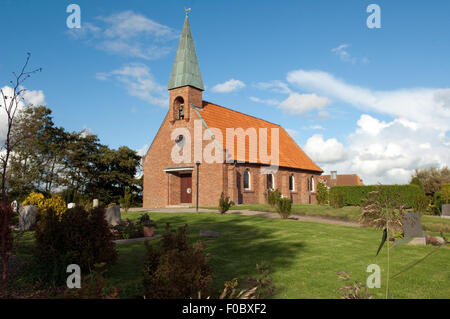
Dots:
{"x": 290, "y": 154}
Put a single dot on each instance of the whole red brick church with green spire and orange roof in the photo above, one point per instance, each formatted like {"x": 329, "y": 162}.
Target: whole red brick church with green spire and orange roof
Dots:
{"x": 177, "y": 165}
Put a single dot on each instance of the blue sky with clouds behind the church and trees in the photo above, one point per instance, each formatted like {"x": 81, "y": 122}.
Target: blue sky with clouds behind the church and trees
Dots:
{"x": 370, "y": 101}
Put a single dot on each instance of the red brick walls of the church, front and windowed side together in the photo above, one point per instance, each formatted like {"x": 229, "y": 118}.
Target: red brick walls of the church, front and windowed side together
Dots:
{"x": 162, "y": 189}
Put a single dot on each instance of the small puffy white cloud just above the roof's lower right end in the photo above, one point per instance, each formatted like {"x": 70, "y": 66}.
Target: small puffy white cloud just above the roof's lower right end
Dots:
{"x": 321, "y": 151}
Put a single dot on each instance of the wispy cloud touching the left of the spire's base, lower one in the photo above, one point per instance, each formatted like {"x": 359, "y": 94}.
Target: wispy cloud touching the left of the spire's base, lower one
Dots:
{"x": 139, "y": 82}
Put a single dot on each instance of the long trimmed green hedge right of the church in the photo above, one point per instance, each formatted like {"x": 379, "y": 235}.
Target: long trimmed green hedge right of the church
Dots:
{"x": 354, "y": 195}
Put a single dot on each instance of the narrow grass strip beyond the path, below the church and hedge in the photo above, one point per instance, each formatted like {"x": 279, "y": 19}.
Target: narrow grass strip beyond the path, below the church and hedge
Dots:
{"x": 350, "y": 213}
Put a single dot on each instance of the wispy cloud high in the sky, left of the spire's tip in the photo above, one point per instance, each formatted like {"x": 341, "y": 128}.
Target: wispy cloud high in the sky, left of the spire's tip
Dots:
{"x": 127, "y": 34}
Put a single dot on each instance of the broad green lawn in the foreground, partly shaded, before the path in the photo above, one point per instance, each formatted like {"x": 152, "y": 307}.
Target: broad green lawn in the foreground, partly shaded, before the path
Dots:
{"x": 303, "y": 257}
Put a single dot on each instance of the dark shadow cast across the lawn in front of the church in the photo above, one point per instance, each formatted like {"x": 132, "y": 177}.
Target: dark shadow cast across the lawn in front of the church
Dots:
{"x": 243, "y": 242}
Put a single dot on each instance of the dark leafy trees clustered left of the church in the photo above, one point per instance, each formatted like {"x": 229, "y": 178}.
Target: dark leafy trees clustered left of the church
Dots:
{"x": 49, "y": 157}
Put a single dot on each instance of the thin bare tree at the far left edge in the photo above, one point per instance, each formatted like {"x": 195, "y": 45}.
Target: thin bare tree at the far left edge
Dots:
{"x": 10, "y": 103}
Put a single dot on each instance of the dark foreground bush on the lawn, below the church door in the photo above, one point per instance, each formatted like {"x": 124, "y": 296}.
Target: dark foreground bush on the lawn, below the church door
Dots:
{"x": 176, "y": 269}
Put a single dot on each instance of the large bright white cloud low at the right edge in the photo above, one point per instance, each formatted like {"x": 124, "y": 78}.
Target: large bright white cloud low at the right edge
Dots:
{"x": 388, "y": 152}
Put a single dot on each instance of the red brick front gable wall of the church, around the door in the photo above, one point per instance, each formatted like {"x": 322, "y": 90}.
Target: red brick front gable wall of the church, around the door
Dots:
{"x": 161, "y": 188}
